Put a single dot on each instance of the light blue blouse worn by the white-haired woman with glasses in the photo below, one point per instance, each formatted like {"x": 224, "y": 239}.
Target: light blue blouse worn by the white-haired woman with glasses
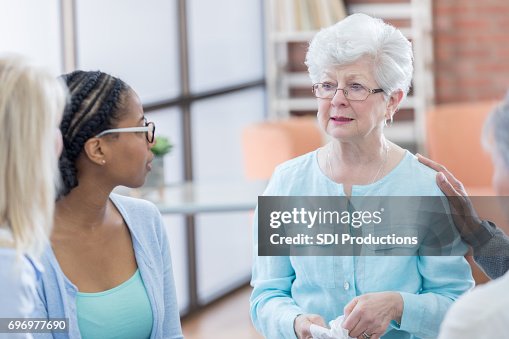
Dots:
{"x": 287, "y": 286}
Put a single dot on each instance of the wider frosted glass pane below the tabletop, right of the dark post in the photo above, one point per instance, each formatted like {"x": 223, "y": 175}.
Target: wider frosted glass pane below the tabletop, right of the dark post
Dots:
{"x": 224, "y": 253}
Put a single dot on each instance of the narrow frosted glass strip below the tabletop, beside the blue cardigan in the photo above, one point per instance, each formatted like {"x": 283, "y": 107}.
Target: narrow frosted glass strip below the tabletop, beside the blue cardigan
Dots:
{"x": 175, "y": 230}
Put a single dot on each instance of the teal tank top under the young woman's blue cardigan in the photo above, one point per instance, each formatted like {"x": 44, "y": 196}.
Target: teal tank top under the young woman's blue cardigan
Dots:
{"x": 121, "y": 312}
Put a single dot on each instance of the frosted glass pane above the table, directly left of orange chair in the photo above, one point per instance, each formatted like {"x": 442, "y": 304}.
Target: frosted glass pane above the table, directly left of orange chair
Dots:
{"x": 217, "y": 131}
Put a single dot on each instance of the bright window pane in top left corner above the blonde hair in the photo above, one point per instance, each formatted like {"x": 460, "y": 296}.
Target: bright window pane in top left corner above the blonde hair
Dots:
{"x": 32, "y": 28}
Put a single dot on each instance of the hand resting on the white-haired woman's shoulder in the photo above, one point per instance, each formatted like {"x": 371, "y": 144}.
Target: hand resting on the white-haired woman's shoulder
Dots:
{"x": 465, "y": 217}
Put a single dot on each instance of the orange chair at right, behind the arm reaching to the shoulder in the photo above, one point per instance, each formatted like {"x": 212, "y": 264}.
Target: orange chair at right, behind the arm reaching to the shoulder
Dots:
{"x": 454, "y": 140}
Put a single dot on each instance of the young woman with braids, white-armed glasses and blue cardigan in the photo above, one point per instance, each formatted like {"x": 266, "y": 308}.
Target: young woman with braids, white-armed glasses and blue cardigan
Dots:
{"x": 109, "y": 268}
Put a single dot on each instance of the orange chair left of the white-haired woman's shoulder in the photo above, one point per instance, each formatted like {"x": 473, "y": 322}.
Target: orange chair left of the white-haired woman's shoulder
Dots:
{"x": 270, "y": 143}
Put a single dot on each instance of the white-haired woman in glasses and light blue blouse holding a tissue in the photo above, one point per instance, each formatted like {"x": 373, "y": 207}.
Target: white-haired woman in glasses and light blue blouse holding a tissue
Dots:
{"x": 361, "y": 69}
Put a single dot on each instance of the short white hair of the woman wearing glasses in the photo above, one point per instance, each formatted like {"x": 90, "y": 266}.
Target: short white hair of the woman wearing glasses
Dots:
{"x": 357, "y": 36}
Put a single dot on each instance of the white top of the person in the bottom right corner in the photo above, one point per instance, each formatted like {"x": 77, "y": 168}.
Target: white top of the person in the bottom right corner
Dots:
{"x": 481, "y": 313}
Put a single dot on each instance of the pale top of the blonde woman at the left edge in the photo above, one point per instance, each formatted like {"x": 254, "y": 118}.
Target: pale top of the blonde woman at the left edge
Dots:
{"x": 17, "y": 285}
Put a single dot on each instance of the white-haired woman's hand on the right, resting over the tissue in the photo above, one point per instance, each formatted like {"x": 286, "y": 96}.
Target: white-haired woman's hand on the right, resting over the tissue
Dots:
{"x": 368, "y": 315}
